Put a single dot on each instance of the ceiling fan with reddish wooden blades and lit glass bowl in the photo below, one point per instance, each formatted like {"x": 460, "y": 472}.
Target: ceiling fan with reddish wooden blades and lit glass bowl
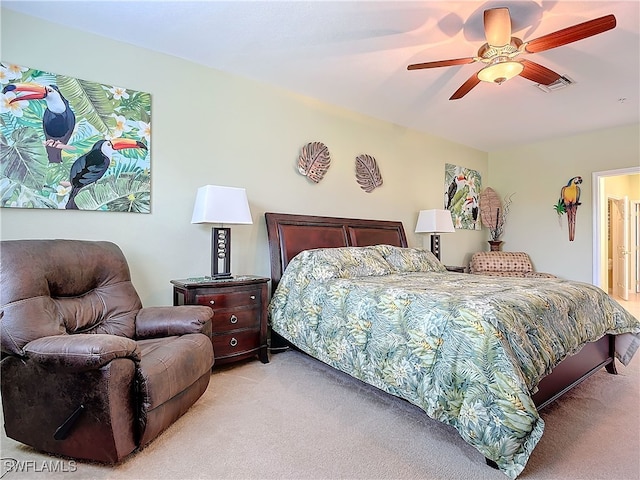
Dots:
{"x": 501, "y": 51}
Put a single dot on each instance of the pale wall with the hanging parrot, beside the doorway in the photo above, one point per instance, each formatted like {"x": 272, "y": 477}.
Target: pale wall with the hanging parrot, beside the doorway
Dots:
{"x": 536, "y": 173}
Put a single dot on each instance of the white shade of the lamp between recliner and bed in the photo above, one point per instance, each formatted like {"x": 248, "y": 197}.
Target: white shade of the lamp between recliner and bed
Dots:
{"x": 216, "y": 204}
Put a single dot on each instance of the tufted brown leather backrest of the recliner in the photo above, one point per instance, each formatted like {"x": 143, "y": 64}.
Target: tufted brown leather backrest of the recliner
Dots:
{"x": 58, "y": 287}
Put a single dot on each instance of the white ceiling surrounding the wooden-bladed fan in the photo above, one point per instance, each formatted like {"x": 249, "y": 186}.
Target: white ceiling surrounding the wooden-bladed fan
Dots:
{"x": 355, "y": 54}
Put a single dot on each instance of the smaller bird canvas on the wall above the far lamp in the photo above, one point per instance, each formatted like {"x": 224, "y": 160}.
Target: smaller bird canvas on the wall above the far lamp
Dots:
{"x": 461, "y": 191}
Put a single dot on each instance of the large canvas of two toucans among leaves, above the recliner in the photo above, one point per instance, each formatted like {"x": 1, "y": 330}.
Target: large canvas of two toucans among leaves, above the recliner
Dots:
{"x": 72, "y": 144}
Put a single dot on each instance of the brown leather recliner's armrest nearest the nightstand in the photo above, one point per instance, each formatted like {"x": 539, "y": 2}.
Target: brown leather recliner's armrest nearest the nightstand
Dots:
{"x": 153, "y": 322}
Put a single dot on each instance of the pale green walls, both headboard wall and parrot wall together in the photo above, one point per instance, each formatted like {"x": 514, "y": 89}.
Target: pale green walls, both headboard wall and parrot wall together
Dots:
{"x": 250, "y": 134}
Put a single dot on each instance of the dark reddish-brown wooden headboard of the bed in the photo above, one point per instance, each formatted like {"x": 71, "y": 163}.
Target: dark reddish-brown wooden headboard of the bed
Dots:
{"x": 291, "y": 234}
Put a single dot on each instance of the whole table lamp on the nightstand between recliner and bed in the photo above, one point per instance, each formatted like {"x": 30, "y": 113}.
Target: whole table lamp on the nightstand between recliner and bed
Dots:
{"x": 221, "y": 205}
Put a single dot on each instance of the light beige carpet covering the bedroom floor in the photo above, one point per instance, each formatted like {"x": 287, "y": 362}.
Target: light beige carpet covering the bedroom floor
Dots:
{"x": 296, "y": 418}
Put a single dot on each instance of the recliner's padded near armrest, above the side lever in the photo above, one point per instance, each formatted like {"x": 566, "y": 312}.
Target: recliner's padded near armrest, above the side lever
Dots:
{"x": 80, "y": 352}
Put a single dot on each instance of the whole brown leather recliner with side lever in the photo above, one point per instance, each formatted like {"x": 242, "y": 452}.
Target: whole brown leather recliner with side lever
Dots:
{"x": 86, "y": 371}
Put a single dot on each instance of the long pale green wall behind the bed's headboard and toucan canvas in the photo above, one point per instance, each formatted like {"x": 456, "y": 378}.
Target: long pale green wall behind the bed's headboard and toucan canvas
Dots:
{"x": 247, "y": 135}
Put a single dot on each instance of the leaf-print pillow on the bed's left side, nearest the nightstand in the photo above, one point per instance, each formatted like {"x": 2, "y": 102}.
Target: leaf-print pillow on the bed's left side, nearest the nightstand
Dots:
{"x": 342, "y": 262}
